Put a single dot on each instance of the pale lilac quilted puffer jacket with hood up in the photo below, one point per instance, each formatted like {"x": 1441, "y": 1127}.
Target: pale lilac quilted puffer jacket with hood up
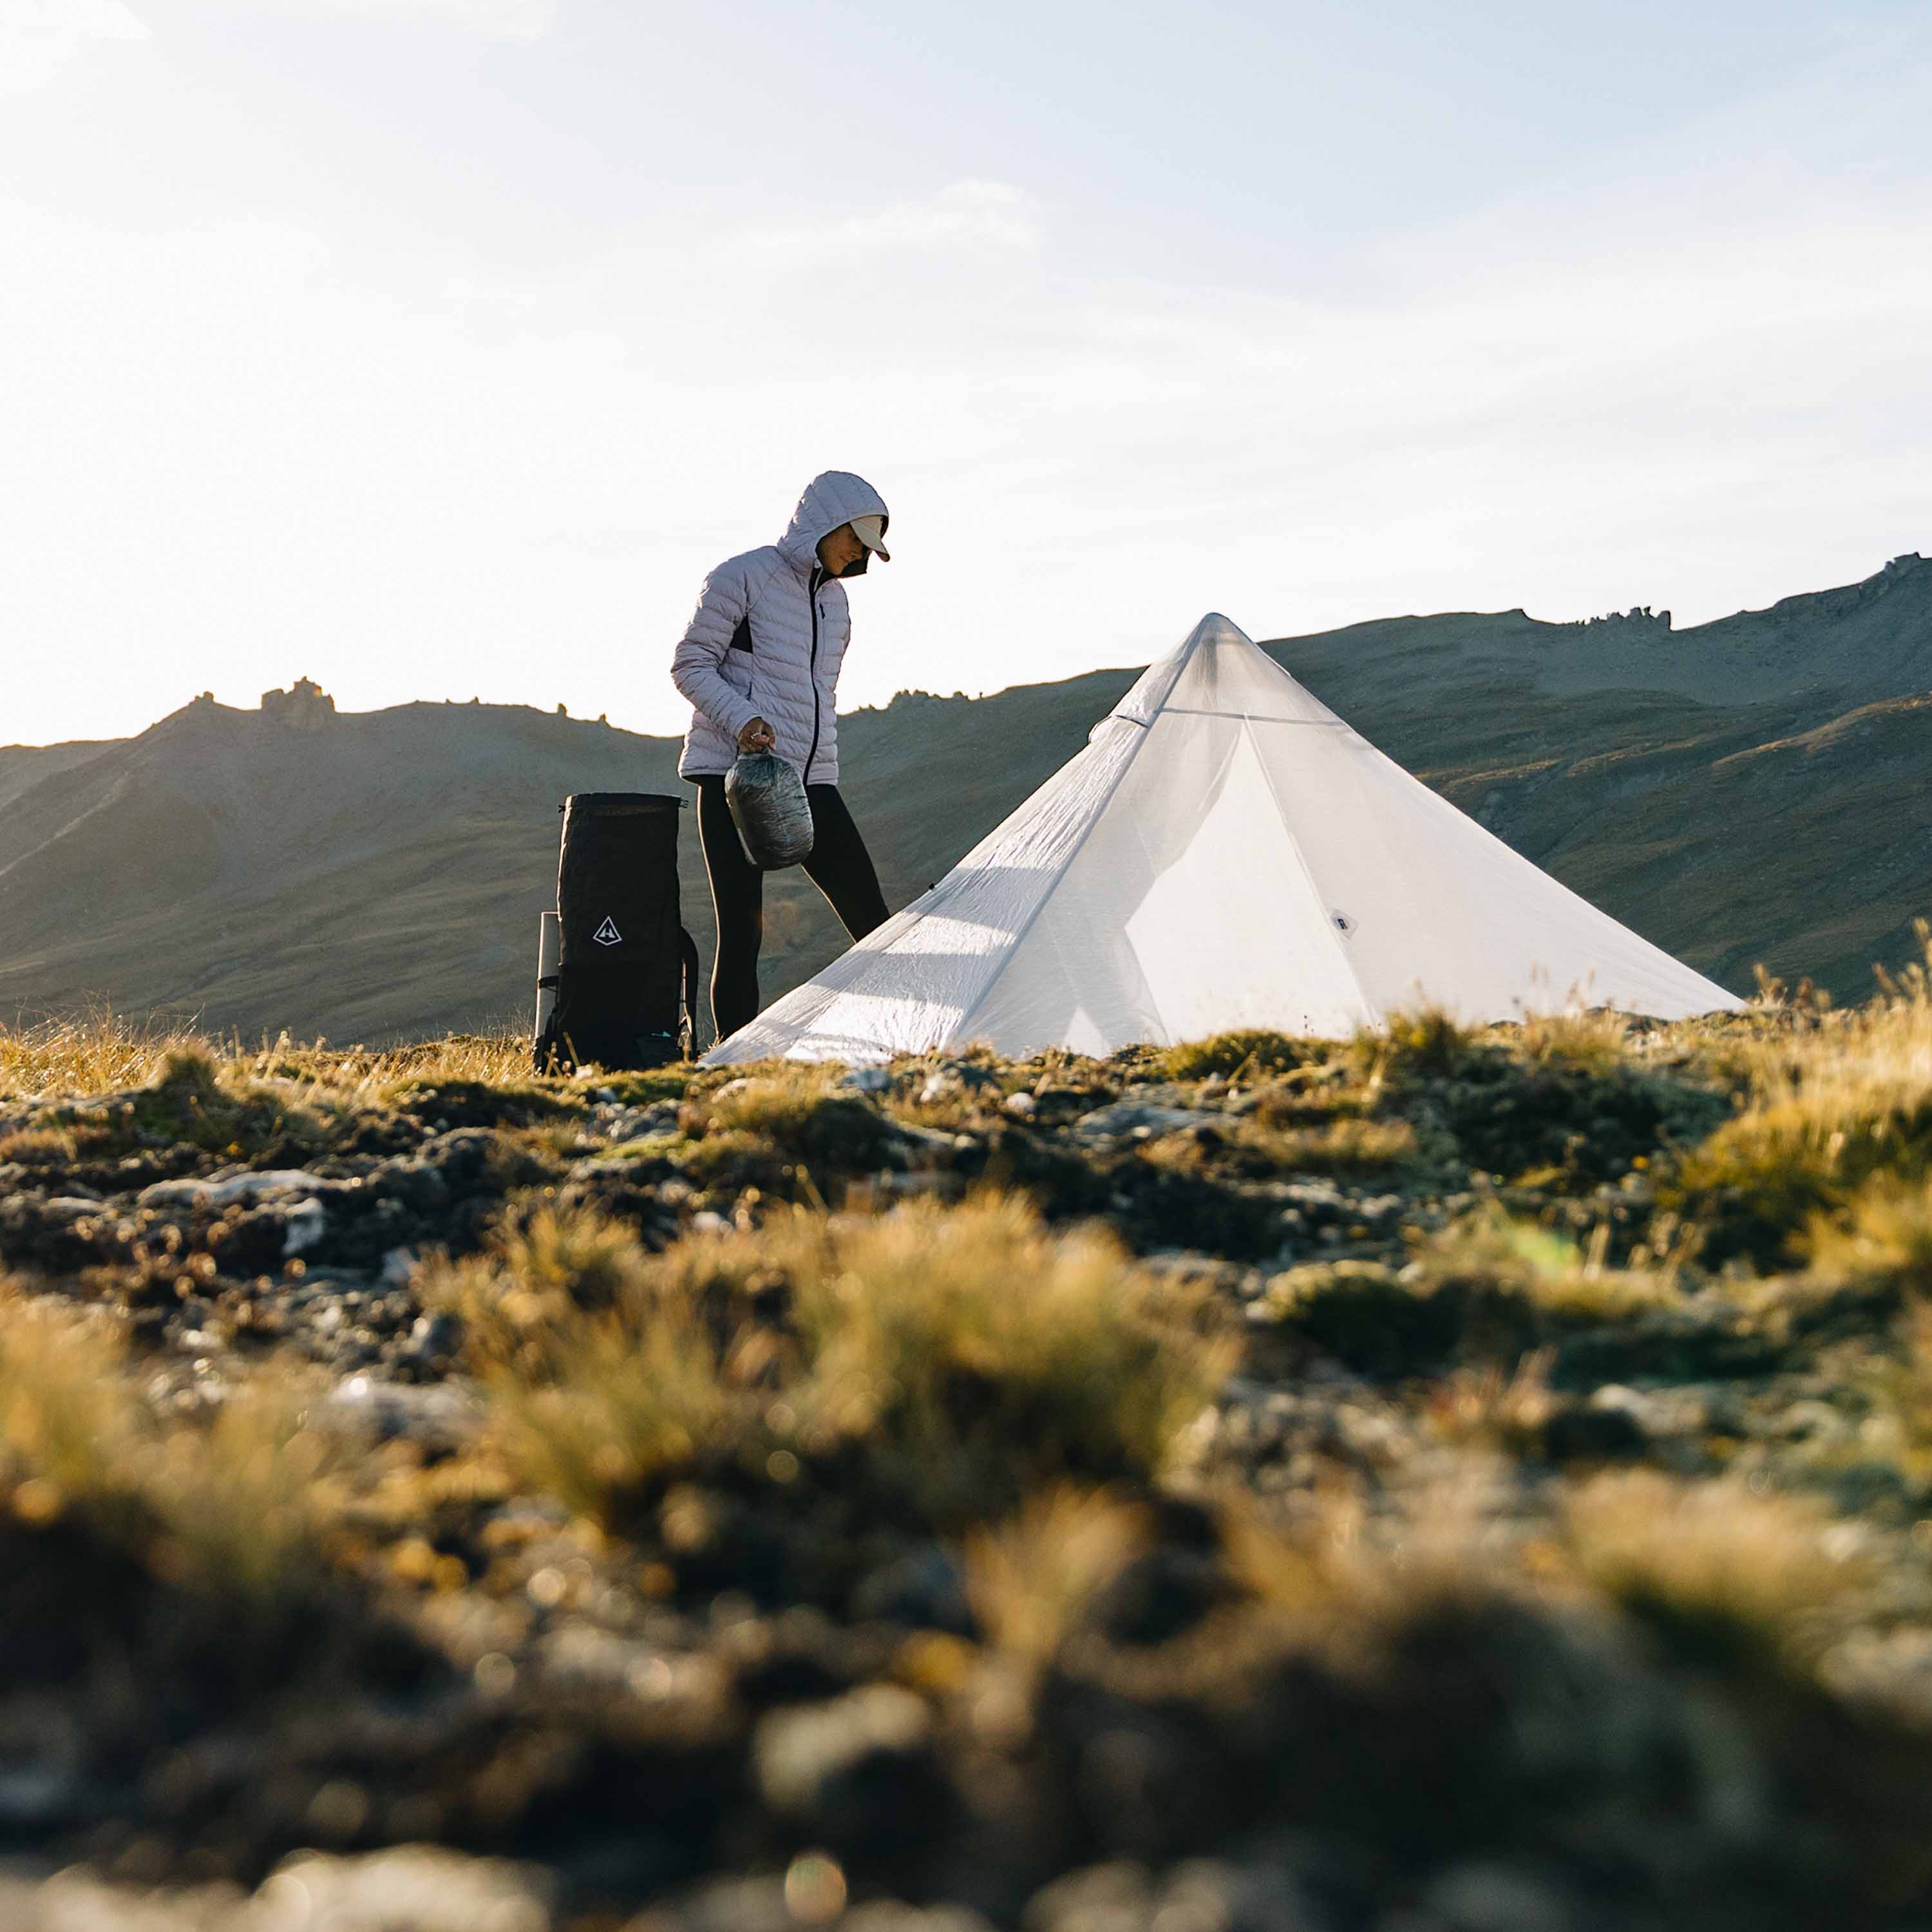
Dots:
{"x": 768, "y": 639}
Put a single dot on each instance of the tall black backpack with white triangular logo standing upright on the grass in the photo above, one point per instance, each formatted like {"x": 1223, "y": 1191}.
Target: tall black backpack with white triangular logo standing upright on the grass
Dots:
{"x": 627, "y": 973}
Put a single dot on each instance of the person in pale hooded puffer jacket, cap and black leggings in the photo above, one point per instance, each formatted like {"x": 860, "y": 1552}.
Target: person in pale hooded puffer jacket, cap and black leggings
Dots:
{"x": 760, "y": 666}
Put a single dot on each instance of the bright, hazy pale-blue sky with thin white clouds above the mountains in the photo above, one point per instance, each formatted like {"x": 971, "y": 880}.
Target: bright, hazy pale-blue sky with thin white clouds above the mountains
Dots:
{"x": 438, "y": 349}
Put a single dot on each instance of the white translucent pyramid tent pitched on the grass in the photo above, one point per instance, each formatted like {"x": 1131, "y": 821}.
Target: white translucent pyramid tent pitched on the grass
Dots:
{"x": 1224, "y": 853}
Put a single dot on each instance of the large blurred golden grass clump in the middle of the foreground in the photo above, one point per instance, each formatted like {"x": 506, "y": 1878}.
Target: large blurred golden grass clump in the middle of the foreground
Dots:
{"x": 965, "y": 1353}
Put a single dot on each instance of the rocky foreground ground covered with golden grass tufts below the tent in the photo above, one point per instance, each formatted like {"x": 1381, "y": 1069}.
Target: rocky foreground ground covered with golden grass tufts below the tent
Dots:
{"x": 1438, "y": 1479}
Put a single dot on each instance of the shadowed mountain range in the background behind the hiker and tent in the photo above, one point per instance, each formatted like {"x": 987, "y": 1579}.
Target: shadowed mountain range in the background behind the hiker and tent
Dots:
{"x": 382, "y": 874}
